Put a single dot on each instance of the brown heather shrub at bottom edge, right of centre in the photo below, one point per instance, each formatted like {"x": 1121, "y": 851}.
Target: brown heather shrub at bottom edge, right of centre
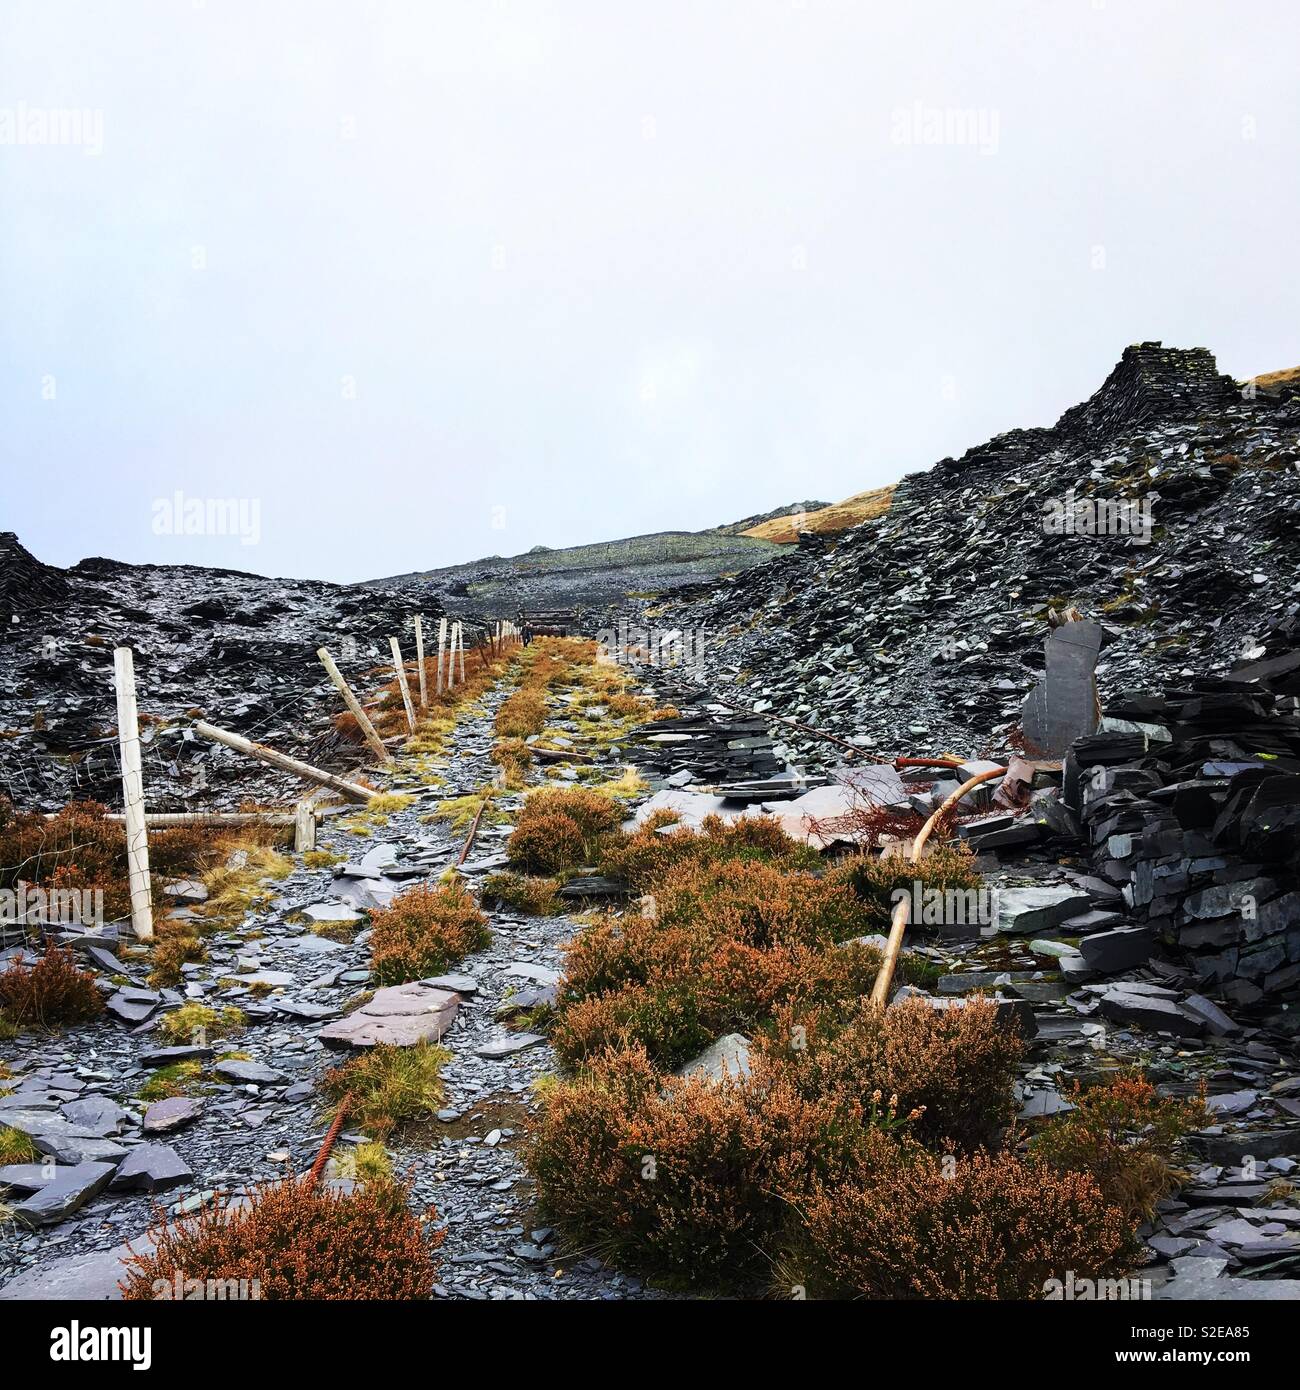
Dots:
{"x": 995, "y": 1228}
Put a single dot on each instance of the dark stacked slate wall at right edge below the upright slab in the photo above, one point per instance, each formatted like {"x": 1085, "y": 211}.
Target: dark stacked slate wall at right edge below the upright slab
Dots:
{"x": 1191, "y": 801}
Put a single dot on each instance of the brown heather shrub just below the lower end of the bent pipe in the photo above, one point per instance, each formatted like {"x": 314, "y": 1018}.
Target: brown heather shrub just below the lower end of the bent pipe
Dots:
{"x": 959, "y": 1067}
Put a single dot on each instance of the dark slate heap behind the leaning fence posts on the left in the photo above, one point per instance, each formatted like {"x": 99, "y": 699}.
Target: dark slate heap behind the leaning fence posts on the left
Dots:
{"x": 237, "y": 647}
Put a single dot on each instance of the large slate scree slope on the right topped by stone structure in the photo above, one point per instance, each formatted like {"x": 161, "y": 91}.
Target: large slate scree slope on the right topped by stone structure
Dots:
{"x": 923, "y": 630}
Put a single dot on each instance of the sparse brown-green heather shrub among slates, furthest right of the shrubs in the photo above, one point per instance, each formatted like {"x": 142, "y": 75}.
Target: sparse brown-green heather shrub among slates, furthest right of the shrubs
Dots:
{"x": 1123, "y": 1135}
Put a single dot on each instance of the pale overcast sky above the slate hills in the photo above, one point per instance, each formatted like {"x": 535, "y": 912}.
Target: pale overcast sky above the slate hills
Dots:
{"x": 348, "y": 290}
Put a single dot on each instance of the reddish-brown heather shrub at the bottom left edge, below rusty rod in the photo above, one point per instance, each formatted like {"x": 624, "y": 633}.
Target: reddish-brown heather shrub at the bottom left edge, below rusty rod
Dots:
{"x": 298, "y": 1245}
